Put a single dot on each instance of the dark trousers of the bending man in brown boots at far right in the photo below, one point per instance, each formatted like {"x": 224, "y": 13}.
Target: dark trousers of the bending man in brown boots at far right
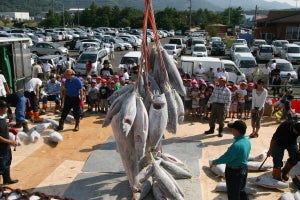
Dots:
{"x": 278, "y": 152}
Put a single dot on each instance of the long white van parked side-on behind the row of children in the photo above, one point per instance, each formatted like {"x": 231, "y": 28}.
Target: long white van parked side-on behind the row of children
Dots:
{"x": 189, "y": 64}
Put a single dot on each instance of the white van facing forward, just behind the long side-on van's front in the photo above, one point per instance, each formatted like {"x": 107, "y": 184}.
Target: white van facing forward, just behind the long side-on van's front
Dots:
{"x": 246, "y": 63}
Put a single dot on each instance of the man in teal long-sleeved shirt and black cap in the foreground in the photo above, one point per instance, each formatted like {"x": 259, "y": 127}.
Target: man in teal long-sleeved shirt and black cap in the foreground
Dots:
{"x": 236, "y": 158}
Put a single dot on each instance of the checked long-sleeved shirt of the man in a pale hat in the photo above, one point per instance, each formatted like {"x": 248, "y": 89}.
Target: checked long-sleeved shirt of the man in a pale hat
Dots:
{"x": 221, "y": 95}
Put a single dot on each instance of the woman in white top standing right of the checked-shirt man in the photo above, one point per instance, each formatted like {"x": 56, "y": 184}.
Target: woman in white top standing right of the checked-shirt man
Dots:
{"x": 259, "y": 96}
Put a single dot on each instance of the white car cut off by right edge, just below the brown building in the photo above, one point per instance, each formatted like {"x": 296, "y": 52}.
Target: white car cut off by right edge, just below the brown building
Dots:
{"x": 291, "y": 52}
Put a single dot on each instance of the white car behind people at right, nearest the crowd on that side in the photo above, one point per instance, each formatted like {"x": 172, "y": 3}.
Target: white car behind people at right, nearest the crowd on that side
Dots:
{"x": 285, "y": 68}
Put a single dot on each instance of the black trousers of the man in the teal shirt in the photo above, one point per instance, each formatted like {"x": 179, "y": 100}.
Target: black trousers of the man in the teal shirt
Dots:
{"x": 236, "y": 180}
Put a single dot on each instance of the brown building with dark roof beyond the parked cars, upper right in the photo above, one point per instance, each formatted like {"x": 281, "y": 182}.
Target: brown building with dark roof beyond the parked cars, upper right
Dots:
{"x": 281, "y": 25}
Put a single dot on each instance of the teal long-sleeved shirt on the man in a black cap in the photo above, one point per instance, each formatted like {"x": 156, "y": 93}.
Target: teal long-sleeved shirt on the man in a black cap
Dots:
{"x": 237, "y": 154}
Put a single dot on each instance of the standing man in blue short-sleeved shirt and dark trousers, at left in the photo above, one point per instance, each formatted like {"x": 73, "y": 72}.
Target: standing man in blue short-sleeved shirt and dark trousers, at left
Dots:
{"x": 73, "y": 95}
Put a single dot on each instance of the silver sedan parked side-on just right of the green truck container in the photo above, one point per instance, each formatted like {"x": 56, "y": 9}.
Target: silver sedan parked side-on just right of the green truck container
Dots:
{"x": 44, "y": 48}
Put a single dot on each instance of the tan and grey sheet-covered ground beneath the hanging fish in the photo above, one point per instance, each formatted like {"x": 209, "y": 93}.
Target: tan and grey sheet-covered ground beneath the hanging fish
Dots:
{"x": 55, "y": 168}
